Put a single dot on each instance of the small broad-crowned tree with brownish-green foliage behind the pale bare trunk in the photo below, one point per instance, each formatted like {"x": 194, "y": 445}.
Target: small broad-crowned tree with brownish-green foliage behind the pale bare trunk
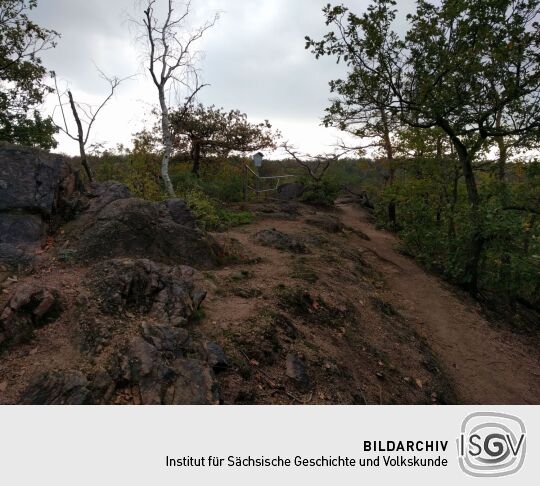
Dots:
{"x": 211, "y": 131}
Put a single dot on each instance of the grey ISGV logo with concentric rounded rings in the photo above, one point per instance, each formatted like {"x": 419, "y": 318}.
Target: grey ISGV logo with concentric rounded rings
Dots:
{"x": 491, "y": 444}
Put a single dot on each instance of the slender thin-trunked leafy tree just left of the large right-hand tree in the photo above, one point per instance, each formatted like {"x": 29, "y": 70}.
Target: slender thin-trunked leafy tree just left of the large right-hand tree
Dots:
{"x": 362, "y": 104}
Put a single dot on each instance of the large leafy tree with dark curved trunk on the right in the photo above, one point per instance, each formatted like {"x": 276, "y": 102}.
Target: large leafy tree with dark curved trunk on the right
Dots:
{"x": 470, "y": 68}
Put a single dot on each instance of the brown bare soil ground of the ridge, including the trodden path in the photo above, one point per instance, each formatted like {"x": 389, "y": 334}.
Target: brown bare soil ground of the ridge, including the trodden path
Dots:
{"x": 340, "y": 318}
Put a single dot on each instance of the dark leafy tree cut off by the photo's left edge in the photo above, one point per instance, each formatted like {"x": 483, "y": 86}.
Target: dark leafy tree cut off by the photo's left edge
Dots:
{"x": 22, "y": 86}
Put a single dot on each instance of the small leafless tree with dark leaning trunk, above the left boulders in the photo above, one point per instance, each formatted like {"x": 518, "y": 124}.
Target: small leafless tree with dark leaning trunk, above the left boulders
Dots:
{"x": 89, "y": 115}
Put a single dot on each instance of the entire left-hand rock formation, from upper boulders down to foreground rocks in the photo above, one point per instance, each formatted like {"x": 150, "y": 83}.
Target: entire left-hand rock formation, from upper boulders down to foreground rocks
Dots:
{"x": 123, "y": 313}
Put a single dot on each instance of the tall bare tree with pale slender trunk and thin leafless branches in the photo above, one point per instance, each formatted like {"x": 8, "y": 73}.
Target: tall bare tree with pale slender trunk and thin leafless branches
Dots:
{"x": 172, "y": 62}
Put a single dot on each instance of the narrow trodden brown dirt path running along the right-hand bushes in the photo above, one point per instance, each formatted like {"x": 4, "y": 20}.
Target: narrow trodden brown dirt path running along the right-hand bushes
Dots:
{"x": 488, "y": 365}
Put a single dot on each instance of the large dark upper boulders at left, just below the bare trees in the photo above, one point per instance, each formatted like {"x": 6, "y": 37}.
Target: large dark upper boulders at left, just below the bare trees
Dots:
{"x": 40, "y": 191}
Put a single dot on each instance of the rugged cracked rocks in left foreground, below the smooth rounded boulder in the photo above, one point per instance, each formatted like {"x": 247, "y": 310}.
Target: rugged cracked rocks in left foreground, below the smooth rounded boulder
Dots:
{"x": 155, "y": 358}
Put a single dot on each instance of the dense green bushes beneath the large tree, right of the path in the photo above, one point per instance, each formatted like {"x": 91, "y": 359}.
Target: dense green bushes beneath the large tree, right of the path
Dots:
{"x": 434, "y": 225}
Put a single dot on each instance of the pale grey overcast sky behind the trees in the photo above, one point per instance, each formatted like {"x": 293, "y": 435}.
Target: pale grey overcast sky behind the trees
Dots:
{"x": 254, "y": 60}
